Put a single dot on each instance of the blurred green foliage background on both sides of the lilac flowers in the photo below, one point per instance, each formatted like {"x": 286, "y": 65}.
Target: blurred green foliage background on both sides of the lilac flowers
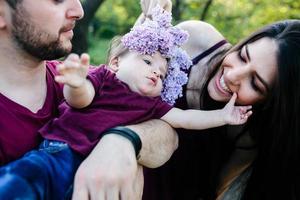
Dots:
{"x": 235, "y": 19}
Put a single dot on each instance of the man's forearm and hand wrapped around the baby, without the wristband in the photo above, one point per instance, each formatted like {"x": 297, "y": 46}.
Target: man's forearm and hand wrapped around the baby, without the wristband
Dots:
{"x": 112, "y": 169}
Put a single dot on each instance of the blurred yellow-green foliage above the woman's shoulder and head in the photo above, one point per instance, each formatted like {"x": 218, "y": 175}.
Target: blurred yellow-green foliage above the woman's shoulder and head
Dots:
{"x": 236, "y": 19}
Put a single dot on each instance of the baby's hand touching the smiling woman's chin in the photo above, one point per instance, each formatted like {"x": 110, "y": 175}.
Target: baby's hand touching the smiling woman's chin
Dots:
{"x": 235, "y": 115}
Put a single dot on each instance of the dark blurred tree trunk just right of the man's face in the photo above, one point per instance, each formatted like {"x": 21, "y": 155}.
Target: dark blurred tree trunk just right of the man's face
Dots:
{"x": 79, "y": 41}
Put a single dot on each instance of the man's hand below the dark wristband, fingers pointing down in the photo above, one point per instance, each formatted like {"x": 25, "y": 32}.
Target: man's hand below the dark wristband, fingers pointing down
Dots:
{"x": 110, "y": 172}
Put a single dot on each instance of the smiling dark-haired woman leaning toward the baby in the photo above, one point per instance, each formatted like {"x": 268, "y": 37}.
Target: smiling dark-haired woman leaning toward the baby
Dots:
{"x": 259, "y": 160}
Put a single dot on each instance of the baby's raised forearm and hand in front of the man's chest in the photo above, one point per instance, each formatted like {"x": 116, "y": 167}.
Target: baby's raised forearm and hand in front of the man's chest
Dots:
{"x": 78, "y": 90}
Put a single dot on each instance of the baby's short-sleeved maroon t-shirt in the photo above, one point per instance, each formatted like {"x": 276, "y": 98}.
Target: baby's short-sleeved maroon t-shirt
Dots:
{"x": 114, "y": 104}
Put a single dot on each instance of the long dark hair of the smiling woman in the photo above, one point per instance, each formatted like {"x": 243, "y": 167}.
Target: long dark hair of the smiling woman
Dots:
{"x": 275, "y": 123}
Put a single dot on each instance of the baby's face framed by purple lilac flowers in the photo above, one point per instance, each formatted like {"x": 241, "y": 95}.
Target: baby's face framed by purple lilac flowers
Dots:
{"x": 143, "y": 73}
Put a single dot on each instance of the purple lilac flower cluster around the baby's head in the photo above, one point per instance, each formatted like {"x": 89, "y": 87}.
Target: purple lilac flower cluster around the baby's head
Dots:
{"x": 158, "y": 34}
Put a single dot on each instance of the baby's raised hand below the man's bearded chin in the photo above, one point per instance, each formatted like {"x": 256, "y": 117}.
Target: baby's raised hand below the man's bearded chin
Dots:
{"x": 73, "y": 70}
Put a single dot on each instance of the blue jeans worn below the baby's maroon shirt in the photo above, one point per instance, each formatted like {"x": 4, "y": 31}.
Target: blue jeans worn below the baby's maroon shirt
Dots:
{"x": 46, "y": 173}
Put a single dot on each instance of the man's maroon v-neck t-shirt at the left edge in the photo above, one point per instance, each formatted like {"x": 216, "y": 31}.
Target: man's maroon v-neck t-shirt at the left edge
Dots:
{"x": 19, "y": 125}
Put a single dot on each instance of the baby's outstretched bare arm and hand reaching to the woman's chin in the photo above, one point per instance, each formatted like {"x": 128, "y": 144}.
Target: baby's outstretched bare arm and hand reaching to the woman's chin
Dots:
{"x": 197, "y": 119}
